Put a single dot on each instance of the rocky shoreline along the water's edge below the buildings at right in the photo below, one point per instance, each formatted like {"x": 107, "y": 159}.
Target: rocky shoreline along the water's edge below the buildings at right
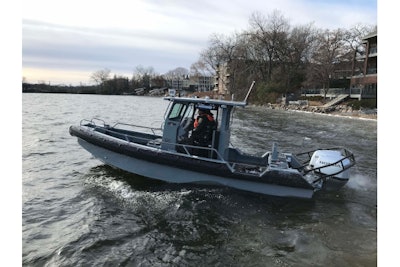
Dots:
{"x": 338, "y": 110}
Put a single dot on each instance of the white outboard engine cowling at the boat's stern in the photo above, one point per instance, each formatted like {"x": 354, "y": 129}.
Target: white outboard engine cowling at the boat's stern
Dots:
{"x": 322, "y": 158}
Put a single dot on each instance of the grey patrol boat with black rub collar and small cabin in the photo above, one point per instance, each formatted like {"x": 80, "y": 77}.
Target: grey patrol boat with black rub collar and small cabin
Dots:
{"x": 165, "y": 154}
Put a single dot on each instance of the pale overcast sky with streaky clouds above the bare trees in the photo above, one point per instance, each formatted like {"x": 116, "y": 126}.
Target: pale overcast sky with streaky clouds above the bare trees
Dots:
{"x": 64, "y": 42}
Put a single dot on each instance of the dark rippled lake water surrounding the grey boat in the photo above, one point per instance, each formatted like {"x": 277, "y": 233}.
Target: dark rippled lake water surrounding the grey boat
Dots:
{"x": 78, "y": 212}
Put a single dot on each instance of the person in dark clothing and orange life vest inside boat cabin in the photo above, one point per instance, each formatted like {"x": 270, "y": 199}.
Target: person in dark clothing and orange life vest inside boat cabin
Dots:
{"x": 203, "y": 128}
